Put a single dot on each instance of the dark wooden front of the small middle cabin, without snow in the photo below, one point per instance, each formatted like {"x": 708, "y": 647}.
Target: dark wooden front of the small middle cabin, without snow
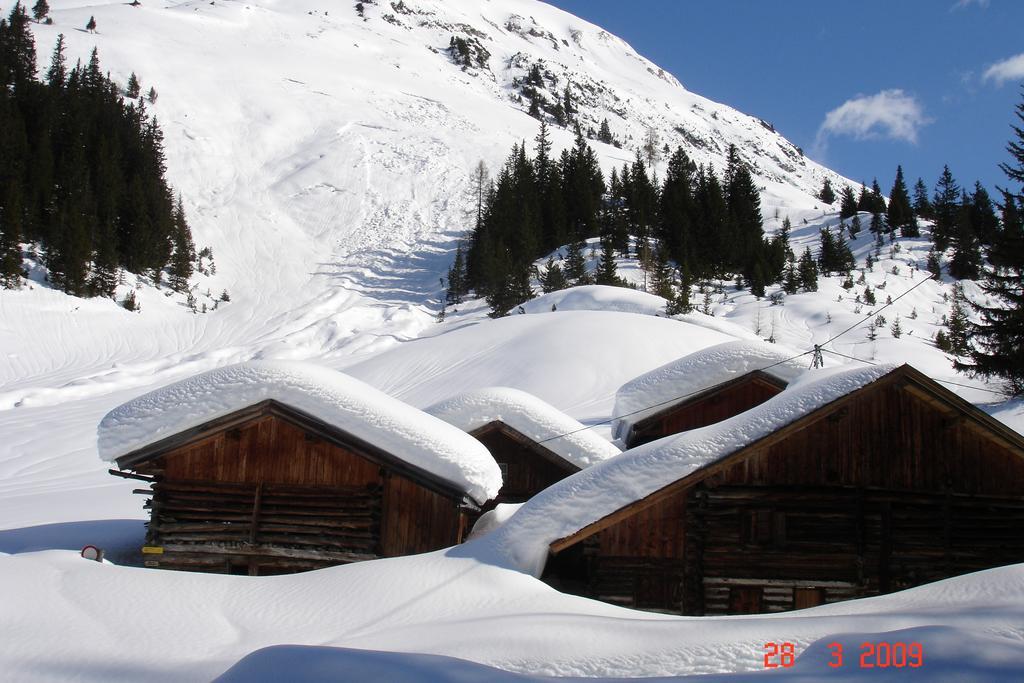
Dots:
{"x": 528, "y": 467}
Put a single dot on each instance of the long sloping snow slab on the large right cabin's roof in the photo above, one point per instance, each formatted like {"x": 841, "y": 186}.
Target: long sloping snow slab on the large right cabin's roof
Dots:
{"x": 591, "y": 495}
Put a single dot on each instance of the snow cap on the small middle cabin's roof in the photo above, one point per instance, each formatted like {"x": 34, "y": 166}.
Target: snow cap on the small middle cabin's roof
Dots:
{"x": 530, "y": 416}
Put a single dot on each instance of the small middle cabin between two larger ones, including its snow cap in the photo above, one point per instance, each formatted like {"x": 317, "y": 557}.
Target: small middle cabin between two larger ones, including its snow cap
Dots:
{"x": 535, "y": 444}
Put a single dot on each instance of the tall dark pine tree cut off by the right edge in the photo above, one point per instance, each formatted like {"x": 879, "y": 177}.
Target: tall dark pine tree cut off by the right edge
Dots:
{"x": 999, "y": 352}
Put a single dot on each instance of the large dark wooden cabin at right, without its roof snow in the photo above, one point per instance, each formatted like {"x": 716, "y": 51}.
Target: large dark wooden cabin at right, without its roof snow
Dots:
{"x": 898, "y": 484}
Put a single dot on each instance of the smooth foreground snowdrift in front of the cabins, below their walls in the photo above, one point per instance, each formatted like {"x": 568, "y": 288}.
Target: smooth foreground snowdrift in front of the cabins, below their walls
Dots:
{"x": 69, "y": 619}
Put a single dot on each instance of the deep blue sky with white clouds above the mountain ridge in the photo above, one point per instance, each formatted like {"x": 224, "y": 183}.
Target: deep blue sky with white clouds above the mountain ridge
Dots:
{"x": 862, "y": 88}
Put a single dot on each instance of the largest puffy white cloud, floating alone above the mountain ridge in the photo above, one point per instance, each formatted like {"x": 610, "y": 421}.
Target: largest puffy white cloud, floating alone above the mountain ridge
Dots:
{"x": 890, "y": 114}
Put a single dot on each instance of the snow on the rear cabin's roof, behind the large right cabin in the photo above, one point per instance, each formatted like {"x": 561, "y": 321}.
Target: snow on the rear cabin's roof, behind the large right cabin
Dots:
{"x": 686, "y": 377}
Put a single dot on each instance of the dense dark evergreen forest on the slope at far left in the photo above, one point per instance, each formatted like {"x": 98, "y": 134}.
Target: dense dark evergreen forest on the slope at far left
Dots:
{"x": 82, "y": 176}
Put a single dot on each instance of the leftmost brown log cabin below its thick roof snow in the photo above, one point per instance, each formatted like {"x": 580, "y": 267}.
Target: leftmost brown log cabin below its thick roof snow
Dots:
{"x": 272, "y": 490}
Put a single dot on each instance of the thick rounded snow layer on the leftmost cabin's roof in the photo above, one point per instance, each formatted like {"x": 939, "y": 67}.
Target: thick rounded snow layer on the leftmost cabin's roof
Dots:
{"x": 340, "y": 401}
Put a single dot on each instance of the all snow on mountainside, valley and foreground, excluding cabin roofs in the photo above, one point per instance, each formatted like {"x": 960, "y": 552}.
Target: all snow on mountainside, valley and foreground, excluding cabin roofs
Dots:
{"x": 326, "y": 159}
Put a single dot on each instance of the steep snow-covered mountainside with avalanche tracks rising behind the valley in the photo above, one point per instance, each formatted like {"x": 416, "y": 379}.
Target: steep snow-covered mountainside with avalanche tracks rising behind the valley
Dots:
{"x": 325, "y": 158}
